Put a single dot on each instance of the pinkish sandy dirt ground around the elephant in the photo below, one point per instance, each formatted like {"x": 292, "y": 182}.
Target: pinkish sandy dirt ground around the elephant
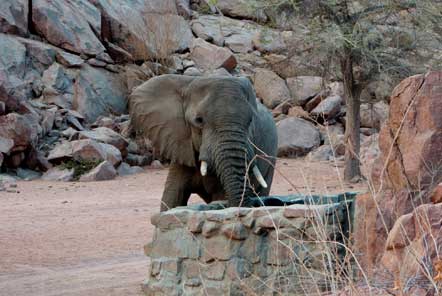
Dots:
{"x": 87, "y": 238}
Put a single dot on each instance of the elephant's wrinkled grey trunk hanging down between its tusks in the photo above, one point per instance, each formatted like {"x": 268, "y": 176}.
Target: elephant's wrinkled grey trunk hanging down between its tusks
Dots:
{"x": 232, "y": 156}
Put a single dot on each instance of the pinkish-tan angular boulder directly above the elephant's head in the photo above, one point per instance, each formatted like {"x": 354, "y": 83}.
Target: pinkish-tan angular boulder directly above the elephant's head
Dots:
{"x": 210, "y": 57}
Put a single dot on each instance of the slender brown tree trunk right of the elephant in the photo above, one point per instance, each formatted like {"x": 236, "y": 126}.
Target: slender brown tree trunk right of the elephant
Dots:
{"x": 352, "y": 169}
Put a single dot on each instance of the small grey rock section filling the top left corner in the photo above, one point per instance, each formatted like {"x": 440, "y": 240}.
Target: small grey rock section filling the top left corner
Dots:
{"x": 14, "y": 16}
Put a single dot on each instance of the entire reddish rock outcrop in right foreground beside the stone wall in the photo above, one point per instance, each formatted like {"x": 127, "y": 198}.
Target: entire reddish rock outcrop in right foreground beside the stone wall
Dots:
{"x": 398, "y": 219}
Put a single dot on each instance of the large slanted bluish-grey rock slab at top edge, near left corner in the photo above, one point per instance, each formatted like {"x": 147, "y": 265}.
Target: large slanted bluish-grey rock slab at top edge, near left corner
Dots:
{"x": 72, "y": 25}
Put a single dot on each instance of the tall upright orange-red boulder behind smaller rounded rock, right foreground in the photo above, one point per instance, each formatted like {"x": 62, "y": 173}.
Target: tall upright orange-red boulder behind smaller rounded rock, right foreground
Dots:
{"x": 404, "y": 174}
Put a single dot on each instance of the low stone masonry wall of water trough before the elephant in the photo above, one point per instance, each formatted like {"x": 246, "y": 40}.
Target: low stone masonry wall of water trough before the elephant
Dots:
{"x": 289, "y": 250}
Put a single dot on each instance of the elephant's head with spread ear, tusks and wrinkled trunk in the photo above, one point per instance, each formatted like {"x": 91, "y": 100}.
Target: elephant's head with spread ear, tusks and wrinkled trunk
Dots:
{"x": 204, "y": 123}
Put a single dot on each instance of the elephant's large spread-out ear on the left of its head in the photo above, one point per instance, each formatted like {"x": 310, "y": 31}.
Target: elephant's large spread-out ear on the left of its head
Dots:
{"x": 157, "y": 112}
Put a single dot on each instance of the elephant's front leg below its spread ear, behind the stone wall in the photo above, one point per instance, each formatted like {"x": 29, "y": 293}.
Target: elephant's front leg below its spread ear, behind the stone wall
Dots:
{"x": 177, "y": 188}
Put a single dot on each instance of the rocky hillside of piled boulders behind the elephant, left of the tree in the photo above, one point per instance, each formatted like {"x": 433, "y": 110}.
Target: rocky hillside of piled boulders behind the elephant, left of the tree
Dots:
{"x": 67, "y": 67}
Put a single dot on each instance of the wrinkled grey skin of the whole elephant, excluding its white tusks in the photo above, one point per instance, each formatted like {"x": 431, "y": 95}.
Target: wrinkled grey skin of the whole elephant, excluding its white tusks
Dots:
{"x": 190, "y": 119}
